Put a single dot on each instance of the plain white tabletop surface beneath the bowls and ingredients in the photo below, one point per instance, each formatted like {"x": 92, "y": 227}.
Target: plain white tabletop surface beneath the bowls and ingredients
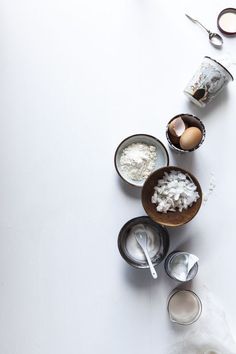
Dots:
{"x": 76, "y": 78}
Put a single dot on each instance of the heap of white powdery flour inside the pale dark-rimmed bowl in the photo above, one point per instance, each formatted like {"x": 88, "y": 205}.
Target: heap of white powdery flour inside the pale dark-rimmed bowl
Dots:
{"x": 138, "y": 160}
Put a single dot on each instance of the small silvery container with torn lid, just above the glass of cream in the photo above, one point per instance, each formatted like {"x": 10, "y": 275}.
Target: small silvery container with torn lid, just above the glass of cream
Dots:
{"x": 176, "y": 262}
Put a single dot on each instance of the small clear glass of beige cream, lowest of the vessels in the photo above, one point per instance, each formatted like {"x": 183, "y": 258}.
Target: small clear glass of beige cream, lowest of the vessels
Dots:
{"x": 184, "y": 307}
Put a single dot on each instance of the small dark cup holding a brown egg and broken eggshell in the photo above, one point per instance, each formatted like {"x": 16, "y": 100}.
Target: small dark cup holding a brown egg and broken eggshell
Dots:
{"x": 188, "y": 139}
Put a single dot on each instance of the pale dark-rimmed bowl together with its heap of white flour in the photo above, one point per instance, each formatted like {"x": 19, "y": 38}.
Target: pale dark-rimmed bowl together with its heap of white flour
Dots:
{"x": 138, "y": 156}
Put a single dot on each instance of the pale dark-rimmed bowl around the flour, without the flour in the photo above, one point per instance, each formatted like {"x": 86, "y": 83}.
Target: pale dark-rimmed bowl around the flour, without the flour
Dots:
{"x": 161, "y": 161}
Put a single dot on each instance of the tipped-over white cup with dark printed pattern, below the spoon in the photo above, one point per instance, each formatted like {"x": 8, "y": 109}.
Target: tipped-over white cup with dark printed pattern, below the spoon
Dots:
{"x": 209, "y": 80}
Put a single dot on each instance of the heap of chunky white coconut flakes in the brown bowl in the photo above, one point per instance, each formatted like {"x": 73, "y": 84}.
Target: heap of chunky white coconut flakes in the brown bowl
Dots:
{"x": 176, "y": 191}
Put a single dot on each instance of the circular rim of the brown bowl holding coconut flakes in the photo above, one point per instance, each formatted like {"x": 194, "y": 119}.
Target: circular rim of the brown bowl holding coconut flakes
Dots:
{"x": 195, "y": 180}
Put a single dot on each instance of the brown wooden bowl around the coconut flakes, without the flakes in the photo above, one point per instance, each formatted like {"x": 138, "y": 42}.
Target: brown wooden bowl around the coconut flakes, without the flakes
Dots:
{"x": 170, "y": 218}
